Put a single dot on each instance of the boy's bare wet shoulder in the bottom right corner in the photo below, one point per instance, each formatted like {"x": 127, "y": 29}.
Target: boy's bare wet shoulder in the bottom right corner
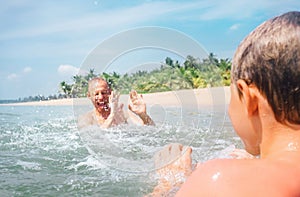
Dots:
{"x": 235, "y": 177}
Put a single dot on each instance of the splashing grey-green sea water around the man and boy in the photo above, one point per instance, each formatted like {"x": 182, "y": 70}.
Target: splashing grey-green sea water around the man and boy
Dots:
{"x": 44, "y": 154}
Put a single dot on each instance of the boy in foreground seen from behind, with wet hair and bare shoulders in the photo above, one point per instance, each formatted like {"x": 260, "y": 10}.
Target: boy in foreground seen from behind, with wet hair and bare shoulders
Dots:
{"x": 265, "y": 112}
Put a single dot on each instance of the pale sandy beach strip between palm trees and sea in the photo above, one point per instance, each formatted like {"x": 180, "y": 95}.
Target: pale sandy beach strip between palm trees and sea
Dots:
{"x": 200, "y": 97}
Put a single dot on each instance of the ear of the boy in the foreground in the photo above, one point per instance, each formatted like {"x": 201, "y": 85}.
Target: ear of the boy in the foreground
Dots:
{"x": 249, "y": 96}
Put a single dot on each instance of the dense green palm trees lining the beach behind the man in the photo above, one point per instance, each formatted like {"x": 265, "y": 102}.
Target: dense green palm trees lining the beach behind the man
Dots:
{"x": 193, "y": 73}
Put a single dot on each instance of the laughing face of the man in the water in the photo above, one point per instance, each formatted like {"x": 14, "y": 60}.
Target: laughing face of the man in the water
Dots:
{"x": 99, "y": 95}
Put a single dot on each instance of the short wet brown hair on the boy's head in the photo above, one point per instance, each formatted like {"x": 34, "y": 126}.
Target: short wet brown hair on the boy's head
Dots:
{"x": 269, "y": 58}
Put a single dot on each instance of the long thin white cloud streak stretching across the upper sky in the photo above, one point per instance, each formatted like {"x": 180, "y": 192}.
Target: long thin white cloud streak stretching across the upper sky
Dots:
{"x": 137, "y": 14}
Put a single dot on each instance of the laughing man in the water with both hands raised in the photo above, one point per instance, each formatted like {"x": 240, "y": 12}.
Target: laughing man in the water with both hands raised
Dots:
{"x": 107, "y": 111}
